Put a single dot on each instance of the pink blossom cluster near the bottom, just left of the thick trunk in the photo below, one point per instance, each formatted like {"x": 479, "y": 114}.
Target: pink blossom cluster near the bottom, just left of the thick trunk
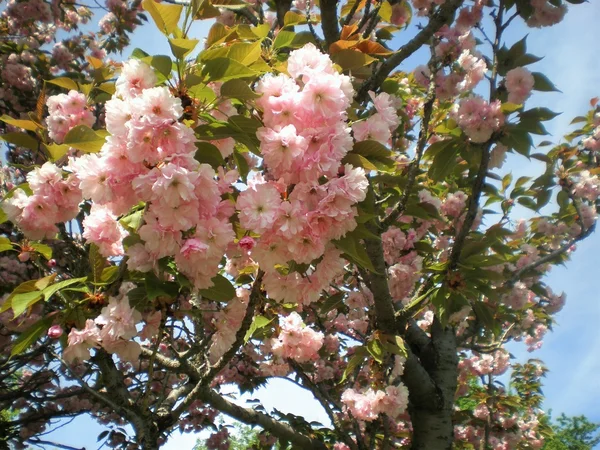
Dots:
{"x": 368, "y": 404}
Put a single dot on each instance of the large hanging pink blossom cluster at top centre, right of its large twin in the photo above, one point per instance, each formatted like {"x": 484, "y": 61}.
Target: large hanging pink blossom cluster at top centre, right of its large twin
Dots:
{"x": 307, "y": 198}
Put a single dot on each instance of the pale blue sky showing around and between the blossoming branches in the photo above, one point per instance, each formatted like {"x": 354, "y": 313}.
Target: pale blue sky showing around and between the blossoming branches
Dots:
{"x": 571, "y": 350}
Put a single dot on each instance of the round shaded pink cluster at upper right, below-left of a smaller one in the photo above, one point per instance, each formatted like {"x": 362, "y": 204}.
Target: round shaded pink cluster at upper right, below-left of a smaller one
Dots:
{"x": 478, "y": 118}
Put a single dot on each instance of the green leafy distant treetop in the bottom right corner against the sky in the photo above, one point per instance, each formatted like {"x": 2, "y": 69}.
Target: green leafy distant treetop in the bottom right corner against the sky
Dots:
{"x": 573, "y": 433}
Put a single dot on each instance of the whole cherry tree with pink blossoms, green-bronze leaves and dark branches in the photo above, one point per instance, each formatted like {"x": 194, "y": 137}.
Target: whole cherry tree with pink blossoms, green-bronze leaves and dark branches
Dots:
{"x": 289, "y": 201}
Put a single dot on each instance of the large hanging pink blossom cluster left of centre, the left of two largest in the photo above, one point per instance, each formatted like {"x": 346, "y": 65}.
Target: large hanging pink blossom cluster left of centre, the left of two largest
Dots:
{"x": 149, "y": 158}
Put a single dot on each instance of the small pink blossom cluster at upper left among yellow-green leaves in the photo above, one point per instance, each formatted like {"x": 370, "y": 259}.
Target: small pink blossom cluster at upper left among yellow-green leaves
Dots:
{"x": 66, "y": 111}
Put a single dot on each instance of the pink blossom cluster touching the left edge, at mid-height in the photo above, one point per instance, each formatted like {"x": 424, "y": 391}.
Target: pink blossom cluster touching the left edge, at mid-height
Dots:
{"x": 54, "y": 199}
